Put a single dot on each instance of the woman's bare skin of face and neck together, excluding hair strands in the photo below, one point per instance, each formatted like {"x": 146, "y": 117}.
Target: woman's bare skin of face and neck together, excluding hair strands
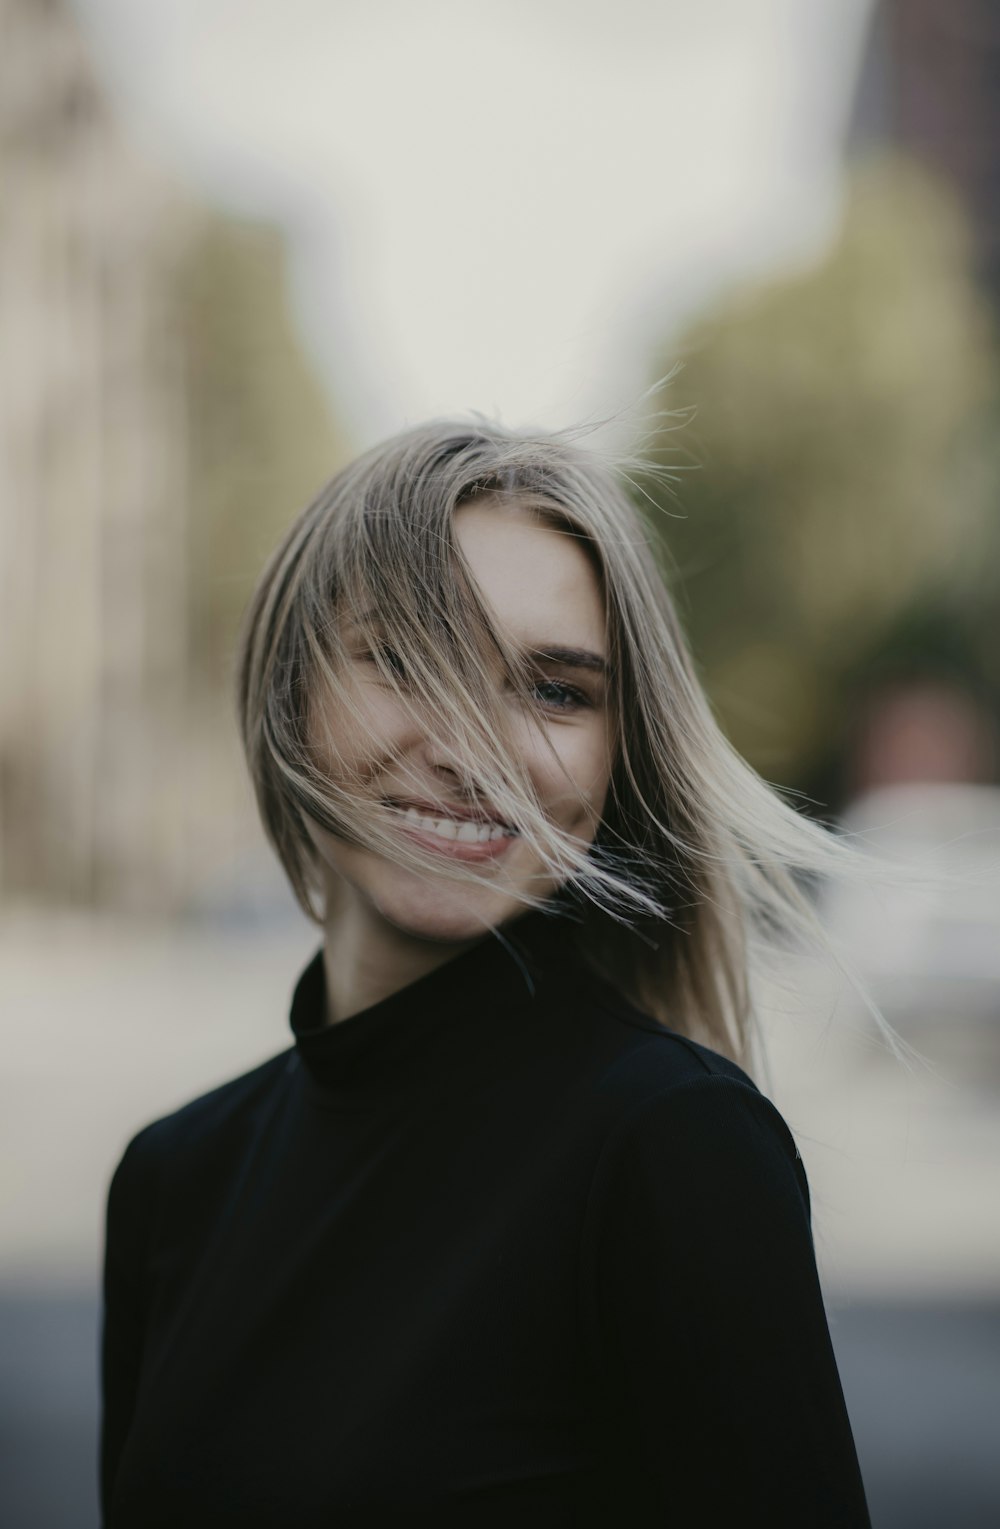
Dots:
{"x": 533, "y": 579}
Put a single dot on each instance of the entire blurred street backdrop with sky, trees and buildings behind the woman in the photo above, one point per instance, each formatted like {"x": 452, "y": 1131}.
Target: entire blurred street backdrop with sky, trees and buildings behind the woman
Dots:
{"x": 241, "y": 242}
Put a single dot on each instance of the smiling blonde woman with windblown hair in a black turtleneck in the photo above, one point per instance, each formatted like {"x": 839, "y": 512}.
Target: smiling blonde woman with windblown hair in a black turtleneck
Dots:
{"x": 508, "y": 1236}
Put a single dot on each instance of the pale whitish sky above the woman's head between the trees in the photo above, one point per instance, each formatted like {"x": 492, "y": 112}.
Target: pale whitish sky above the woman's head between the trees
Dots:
{"x": 498, "y": 204}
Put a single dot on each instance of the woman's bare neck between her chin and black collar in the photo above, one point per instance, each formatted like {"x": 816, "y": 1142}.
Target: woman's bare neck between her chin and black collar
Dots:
{"x": 368, "y": 959}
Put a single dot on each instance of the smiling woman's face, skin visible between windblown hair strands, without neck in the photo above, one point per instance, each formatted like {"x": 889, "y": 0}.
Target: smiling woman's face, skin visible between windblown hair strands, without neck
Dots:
{"x": 547, "y": 597}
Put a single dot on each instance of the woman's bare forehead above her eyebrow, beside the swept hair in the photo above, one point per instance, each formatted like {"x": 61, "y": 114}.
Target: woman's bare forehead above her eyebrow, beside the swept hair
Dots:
{"x": 539, "y": 579}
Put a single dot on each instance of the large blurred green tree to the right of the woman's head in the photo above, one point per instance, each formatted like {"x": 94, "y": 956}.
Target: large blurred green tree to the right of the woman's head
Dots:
{"x": 846, "y": 470}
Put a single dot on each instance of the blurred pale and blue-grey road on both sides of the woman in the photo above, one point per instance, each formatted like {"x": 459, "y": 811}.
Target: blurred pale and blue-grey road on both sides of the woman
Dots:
{"x": 106, "y": 1027}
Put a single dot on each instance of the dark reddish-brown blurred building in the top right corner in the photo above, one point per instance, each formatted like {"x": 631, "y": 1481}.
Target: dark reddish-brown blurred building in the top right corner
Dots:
{"x": 930, "y": 88}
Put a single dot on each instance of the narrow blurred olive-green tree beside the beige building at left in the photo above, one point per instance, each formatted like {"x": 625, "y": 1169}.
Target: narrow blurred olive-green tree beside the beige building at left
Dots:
{"x": 261, "y": 437}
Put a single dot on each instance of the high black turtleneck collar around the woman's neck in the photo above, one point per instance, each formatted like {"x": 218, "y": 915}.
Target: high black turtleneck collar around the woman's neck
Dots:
{"x": 435, "y": 1022}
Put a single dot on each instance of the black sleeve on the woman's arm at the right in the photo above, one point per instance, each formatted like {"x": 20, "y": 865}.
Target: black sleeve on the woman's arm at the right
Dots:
{"x": 712, "y": 1319}
